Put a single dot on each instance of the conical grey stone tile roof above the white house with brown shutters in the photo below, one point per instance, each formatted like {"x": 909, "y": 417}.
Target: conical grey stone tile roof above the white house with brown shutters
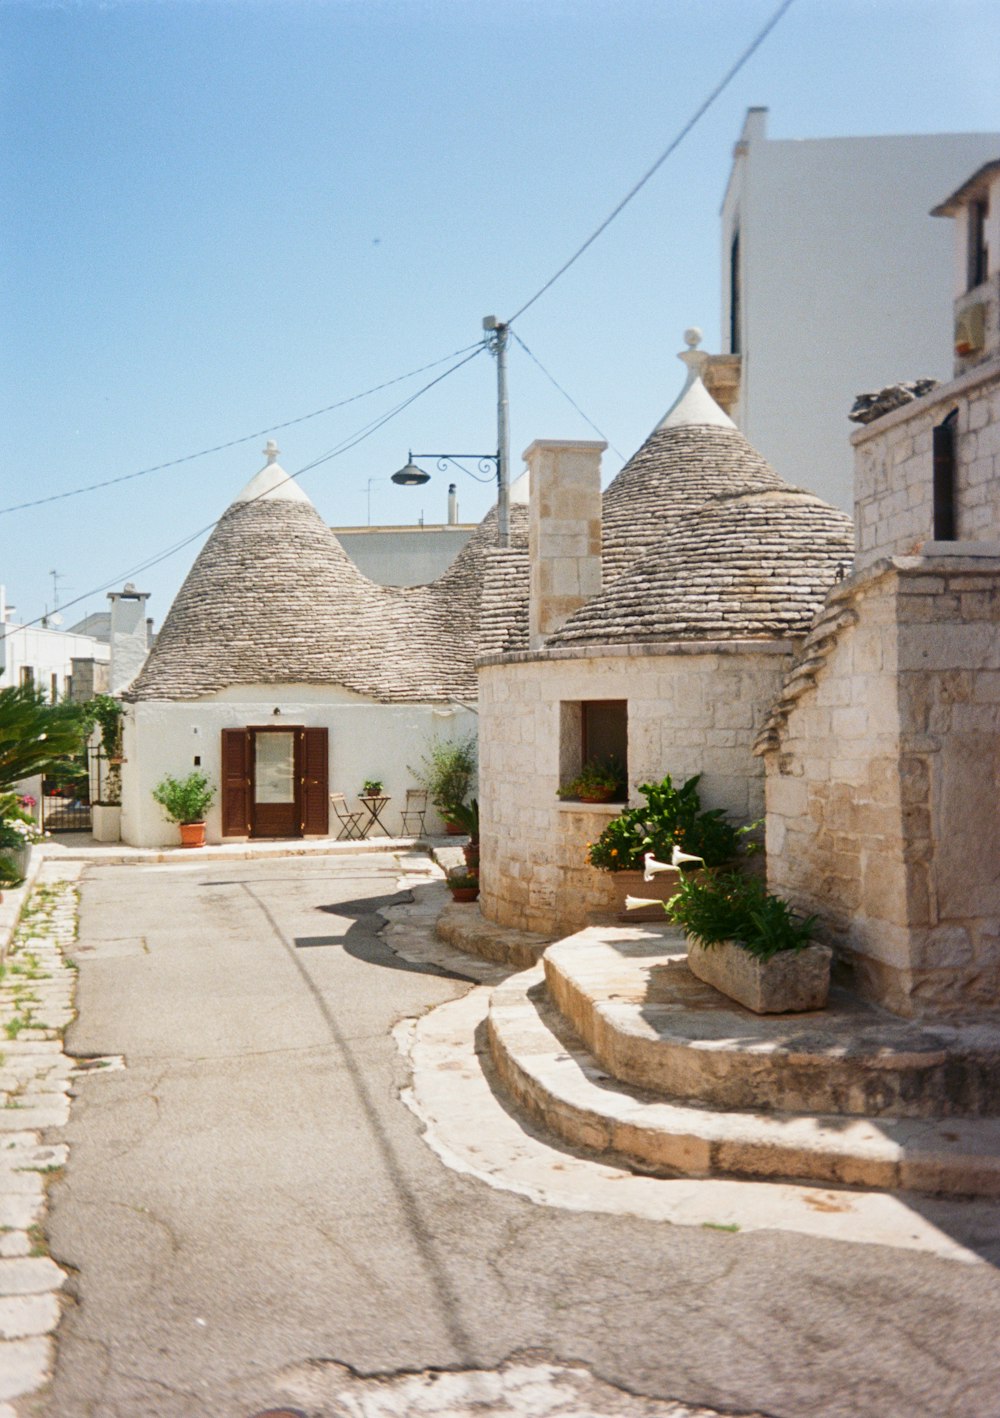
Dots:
{"x": 274, "y": 599}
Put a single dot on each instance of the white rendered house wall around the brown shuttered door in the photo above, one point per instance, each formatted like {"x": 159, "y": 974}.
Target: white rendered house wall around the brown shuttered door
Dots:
{"x": 367, "y": 741}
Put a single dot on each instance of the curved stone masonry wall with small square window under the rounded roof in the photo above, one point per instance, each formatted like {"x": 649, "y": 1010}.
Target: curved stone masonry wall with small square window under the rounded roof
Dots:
{"x": 691, "y": 710}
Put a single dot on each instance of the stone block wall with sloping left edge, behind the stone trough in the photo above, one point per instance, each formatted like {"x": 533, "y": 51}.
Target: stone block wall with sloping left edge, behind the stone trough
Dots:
{"x": 883, "y": 812}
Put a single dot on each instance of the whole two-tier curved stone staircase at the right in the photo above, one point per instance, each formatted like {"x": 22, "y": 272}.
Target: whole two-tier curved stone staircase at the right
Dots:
{"x": 615, "y": 1047}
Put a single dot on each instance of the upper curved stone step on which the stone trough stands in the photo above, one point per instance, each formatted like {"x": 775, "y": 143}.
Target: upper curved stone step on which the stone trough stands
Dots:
{"x": 630, "y": 998}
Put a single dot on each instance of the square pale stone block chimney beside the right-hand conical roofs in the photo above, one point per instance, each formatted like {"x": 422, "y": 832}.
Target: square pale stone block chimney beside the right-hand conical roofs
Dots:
{"x": 565, "y": 532}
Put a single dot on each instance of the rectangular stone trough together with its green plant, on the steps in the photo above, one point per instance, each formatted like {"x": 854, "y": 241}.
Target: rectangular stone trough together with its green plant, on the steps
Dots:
{"x": 751, "y": 945}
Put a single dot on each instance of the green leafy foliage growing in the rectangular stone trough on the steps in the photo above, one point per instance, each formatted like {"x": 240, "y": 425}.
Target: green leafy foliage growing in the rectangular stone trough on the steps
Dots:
{"x": 718, "y": 907}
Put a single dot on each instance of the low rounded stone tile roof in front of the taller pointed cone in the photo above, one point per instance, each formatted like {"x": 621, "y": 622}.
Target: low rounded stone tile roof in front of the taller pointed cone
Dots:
{"x": 745, "y": 565}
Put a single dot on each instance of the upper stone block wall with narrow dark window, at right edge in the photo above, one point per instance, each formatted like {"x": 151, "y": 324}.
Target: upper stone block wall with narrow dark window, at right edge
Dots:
{"x": 894, "y": 470}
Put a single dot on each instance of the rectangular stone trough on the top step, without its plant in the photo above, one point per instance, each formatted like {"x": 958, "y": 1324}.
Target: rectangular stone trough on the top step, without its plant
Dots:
{"x": 789, "y": 983}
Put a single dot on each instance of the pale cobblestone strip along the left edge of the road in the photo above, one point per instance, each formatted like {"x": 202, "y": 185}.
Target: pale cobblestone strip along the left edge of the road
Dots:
{"x": 36, "y": 1080}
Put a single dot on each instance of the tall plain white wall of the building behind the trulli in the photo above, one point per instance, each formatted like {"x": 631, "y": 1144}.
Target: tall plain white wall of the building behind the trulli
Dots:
{"x": 846, "y": 284}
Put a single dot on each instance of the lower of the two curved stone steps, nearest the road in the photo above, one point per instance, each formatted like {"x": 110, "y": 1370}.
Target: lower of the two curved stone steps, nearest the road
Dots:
{"x": 551, "y": 1074}
